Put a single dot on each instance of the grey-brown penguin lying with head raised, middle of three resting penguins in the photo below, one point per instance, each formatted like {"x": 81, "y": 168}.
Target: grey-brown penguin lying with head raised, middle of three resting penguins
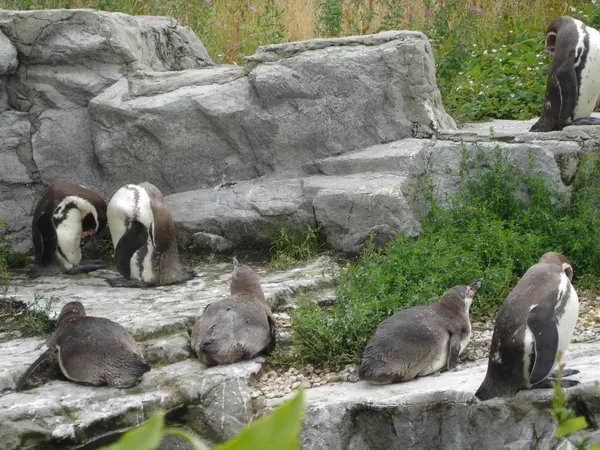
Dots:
{"x": 238, "y": 327}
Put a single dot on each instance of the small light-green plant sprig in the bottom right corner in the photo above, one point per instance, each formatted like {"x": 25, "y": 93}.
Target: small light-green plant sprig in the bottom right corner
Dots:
{"x": 569, "y": 426}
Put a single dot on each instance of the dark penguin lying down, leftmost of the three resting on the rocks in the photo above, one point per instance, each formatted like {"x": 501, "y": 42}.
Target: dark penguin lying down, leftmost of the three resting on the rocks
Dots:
{"x": 92, "y": 351}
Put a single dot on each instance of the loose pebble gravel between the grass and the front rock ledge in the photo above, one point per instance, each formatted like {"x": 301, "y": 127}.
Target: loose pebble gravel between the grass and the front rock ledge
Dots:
{"x": 276, "y": 382}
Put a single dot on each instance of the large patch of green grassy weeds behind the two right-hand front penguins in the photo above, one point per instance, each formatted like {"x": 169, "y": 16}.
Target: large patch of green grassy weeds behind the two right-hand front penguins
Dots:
{"x": 488, "y": 232}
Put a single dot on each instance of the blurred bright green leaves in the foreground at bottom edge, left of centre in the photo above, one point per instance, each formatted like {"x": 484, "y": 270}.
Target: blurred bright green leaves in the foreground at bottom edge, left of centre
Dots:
{"x": 278, "y": 430}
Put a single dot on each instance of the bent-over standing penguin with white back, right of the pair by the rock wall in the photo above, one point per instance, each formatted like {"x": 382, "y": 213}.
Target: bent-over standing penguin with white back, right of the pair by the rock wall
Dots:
{"x": 143, "y": 235}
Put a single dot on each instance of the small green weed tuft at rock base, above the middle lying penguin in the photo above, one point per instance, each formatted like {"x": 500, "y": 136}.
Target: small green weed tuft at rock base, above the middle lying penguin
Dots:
{"x": 289, "y": 249}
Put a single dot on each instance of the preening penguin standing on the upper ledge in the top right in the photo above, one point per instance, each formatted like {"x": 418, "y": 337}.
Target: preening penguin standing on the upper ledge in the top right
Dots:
{"x": 573, "y": 84}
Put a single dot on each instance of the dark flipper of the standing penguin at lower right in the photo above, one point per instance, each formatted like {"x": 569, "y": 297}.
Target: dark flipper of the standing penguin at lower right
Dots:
{"x": 545, "y": 335}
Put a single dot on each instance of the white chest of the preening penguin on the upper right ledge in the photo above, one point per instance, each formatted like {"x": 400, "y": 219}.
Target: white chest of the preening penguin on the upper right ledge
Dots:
{"x": 589, "y": 89}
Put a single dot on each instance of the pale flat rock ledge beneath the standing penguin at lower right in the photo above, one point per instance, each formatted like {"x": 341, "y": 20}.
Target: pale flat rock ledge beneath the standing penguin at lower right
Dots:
{"x": 441, "y": 412}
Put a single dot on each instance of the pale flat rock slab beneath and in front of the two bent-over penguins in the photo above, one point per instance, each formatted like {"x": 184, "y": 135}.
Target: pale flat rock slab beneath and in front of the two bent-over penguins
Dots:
{"x": 161, "y": 312}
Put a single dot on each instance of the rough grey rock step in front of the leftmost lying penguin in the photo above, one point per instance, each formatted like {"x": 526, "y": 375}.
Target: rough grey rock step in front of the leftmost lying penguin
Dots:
{"x": 62, "y": 413}
